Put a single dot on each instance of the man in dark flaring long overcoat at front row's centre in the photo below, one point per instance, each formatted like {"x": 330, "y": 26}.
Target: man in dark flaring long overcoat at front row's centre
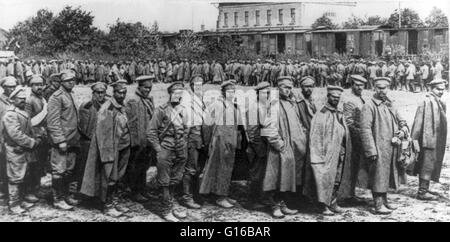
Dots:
{"x": 227, "y": 136}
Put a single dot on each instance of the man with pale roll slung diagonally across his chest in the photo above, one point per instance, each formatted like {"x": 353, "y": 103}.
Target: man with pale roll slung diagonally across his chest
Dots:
{"x": 36, "y": 107}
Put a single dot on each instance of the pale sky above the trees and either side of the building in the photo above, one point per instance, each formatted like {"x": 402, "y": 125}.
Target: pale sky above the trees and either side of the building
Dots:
{"x": 173, "y": 15}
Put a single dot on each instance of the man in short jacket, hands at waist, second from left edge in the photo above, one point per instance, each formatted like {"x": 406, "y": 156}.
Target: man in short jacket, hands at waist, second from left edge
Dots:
{"x": 19, "y": 143}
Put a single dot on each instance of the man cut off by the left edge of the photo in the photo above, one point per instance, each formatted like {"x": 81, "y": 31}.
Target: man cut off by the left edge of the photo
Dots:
{"x": 8, "y": 85}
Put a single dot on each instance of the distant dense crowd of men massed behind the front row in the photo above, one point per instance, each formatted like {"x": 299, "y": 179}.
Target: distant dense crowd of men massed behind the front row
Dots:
{"x": 405, "y": 74}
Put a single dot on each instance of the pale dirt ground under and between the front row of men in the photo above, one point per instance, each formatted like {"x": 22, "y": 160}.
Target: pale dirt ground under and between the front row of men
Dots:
{"x": 409, "y": 209}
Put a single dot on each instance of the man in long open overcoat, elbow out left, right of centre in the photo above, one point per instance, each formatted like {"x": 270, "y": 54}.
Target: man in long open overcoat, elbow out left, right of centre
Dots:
{"x": 287, "y": 141}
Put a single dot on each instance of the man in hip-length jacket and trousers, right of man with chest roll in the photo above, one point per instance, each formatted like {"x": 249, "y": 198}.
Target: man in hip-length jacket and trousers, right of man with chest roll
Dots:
{"x": 62, "y": 126}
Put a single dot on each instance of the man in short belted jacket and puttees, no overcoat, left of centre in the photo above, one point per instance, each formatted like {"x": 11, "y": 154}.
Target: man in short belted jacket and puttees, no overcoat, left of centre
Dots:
{"x": 167, "y": 135}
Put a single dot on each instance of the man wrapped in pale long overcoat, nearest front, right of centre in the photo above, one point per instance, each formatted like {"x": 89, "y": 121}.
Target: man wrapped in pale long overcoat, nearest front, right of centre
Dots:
{"x": 330, "y": 151}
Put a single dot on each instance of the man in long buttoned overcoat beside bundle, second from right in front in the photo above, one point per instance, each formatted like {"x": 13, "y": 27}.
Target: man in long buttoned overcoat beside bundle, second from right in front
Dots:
{"x": 379, "y": 122}
